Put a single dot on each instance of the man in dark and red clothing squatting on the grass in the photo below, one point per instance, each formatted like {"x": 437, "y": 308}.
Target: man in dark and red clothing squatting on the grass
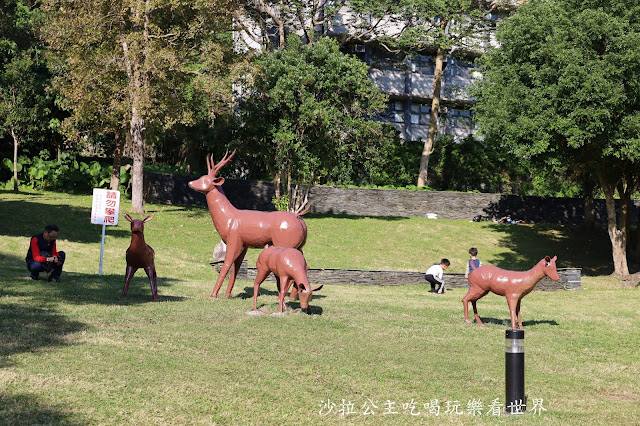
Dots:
{"x": 43, "y": 256}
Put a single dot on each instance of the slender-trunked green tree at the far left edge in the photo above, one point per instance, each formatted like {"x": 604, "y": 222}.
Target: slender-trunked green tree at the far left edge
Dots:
{"x": 24, "y": 104}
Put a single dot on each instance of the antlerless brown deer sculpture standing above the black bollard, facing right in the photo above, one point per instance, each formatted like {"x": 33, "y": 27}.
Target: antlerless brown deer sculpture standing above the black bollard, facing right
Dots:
{"x": 514, "y": 285}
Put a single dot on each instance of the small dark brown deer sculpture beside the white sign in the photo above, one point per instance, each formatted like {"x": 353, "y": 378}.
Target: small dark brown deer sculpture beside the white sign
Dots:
{"x": 140, "y": 255}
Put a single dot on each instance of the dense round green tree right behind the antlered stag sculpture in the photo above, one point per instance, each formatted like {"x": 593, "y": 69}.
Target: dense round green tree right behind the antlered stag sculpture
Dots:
{"x": 311, "y": 115}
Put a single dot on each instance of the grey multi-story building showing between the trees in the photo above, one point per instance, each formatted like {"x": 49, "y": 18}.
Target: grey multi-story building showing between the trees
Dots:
{"x": 409, "y": 80}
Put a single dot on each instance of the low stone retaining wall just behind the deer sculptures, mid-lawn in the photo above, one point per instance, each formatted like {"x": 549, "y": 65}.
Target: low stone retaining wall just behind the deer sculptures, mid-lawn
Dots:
{"x": 570, "y": 278}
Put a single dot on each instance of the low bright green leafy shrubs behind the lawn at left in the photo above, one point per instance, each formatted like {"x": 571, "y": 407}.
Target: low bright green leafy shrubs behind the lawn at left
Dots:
{"x": 68, "y": 174}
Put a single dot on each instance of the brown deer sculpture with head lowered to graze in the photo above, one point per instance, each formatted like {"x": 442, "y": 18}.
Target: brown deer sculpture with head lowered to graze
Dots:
{"x": 289, "y": 266}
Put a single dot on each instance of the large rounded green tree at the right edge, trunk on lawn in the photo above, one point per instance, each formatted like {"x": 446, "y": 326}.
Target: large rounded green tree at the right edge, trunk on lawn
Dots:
{"x": 562, "y": 84}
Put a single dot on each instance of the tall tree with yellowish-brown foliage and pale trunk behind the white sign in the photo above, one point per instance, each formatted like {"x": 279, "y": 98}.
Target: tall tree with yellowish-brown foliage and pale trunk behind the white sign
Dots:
{"x": 141, "y": 64}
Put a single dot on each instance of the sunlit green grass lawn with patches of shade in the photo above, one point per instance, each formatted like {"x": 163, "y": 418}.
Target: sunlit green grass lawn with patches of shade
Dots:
{"x": 76, "y": 353}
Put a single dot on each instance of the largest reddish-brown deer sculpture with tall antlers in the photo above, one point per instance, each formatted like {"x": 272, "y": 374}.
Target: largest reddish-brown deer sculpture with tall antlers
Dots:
{"x": 242, "y": 229}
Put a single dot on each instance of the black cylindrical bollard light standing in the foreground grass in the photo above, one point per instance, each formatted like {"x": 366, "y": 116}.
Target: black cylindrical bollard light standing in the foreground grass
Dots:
{"x": 514, "y": 371}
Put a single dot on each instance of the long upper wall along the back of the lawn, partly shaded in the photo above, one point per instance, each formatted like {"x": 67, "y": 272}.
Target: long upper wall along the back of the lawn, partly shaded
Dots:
{"x": 171, "y": 189}
